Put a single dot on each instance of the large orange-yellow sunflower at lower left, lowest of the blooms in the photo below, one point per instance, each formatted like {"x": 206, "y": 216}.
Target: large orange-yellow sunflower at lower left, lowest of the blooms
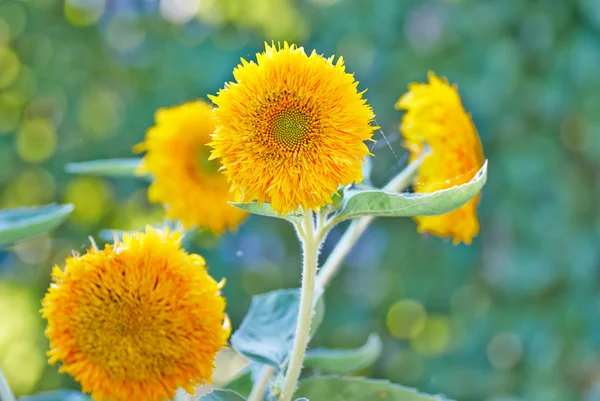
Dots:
{"x": 136, "y": 320}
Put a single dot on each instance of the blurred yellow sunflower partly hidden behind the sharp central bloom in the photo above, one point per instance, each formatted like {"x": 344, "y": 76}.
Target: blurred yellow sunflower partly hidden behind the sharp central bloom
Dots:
{"x": 185, "y": 181}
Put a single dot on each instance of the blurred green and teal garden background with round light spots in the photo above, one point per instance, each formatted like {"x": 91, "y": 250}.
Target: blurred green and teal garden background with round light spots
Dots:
{"x": 514, "y": 317}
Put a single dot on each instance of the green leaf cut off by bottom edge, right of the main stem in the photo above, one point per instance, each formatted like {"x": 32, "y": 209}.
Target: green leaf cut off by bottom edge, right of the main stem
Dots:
{"x": 332, "y": 388}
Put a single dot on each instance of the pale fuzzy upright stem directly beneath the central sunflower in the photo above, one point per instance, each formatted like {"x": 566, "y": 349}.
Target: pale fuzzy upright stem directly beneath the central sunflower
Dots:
{"x": 309, "y": 270}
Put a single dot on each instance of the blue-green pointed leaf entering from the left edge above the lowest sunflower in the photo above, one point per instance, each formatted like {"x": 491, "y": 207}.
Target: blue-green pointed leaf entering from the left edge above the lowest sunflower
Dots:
{"x": 20, "y": 223}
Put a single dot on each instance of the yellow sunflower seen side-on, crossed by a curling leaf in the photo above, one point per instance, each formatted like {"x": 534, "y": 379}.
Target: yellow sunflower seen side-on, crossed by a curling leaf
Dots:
{"x": 435, "y": 114}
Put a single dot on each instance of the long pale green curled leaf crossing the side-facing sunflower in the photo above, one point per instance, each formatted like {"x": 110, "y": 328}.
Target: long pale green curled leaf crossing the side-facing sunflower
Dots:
{"x": 387, "y": 204}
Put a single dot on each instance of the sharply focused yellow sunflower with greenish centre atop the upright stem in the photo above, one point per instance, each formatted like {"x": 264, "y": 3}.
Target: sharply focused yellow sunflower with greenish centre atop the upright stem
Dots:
{"x": 291, "y": 129}
